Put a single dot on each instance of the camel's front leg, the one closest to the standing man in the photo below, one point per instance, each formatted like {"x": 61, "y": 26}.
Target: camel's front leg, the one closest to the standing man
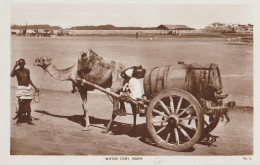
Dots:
{"x": 84, "y": 94}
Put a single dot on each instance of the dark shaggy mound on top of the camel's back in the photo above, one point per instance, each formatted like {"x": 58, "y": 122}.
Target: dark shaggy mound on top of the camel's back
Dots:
{"x": 86, "y": 61}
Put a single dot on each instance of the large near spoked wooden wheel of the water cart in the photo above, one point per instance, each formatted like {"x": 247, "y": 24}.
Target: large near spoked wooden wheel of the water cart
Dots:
{"x": 175, "y": 120}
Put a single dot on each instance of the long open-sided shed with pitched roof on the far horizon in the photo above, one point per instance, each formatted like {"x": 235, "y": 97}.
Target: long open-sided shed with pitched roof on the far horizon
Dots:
{"x": 174, "y": 29}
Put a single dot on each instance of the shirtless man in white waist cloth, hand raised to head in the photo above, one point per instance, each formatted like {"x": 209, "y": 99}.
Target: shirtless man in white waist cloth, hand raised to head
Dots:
{"x": 24, "y": 91}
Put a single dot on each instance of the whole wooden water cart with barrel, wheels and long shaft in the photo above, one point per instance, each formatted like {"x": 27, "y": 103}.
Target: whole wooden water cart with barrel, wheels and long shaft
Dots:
{"x": 182, "y": 103}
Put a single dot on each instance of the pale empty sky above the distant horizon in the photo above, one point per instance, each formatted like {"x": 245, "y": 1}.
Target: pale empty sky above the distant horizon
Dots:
{"x": 142, "y": 15}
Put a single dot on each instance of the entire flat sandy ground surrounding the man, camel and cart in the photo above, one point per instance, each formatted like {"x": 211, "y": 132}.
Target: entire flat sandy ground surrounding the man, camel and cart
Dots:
{"x": 58, "y": 116}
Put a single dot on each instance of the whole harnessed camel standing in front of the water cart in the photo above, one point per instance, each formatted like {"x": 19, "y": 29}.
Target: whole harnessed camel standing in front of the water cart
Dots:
{"x": 95, "y": 69}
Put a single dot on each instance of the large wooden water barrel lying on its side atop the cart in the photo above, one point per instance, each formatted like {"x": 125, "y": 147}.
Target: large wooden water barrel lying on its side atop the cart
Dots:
{"x": 193, "y": 78}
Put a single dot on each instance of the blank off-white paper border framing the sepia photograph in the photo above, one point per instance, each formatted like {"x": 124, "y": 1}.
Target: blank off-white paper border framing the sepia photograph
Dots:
{"x": 7, "y": 159}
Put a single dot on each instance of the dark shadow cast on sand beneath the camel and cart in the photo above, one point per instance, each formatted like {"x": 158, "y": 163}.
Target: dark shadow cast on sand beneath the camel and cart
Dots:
{"x": 120, "y": 128}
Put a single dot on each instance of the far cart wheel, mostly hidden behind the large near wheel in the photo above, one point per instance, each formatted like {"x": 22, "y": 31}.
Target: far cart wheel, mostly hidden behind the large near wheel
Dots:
{"x": 210, "y": 122}
